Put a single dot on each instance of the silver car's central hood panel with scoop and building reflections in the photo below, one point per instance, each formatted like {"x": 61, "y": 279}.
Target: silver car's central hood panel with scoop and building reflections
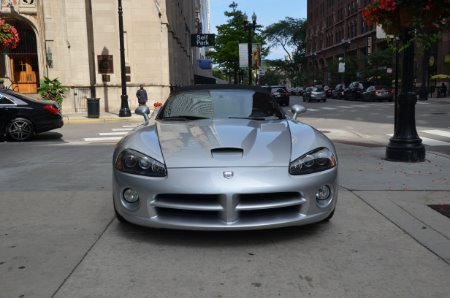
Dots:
{"x": 214, "y": 143}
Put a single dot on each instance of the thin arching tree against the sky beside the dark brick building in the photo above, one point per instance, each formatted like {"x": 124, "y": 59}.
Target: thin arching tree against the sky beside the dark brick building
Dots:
{"x": 289, "y": 33}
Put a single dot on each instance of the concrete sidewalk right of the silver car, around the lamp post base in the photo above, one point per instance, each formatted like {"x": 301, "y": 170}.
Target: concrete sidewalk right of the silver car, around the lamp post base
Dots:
{"x": 402, "y": 192}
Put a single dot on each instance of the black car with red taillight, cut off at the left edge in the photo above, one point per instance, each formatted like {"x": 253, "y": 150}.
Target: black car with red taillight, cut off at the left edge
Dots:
{"x": 21, "y": 117}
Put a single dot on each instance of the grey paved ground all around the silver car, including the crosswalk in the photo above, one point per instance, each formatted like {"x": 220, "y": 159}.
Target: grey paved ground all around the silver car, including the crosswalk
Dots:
{"x": 59, "y": 236}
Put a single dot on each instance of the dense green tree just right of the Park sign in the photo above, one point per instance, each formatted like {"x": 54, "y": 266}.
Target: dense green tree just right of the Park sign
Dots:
{"x": 229, "y": 35}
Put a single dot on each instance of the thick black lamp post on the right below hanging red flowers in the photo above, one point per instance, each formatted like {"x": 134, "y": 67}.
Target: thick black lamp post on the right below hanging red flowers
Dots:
{"x": 406, "y": 145}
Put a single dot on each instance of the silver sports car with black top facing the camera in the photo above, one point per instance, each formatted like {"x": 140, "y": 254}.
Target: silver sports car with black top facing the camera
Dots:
{"x": 224, "y": 157}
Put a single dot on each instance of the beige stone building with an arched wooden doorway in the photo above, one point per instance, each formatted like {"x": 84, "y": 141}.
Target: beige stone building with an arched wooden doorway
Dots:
{"x": 77, "y": 42}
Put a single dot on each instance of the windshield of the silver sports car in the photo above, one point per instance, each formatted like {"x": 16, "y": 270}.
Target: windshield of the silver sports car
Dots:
{"x": 220, "y": 104}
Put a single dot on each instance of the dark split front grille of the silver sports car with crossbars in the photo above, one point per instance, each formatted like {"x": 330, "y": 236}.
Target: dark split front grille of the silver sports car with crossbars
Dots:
{"x": 227, "y": 208}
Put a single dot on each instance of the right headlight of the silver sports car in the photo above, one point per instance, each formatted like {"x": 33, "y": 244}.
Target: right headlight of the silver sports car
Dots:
{"x": 317, "y": 160}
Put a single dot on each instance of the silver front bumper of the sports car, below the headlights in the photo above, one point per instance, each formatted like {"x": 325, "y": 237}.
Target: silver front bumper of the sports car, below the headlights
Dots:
{"x": 202, "y": 199}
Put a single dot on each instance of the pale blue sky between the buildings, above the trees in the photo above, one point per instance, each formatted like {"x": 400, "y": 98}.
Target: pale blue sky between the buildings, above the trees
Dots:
{"x": 267, "y": 12}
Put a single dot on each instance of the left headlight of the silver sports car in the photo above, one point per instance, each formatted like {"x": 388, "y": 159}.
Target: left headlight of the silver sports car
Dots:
{"x": 134, "y": 162}
